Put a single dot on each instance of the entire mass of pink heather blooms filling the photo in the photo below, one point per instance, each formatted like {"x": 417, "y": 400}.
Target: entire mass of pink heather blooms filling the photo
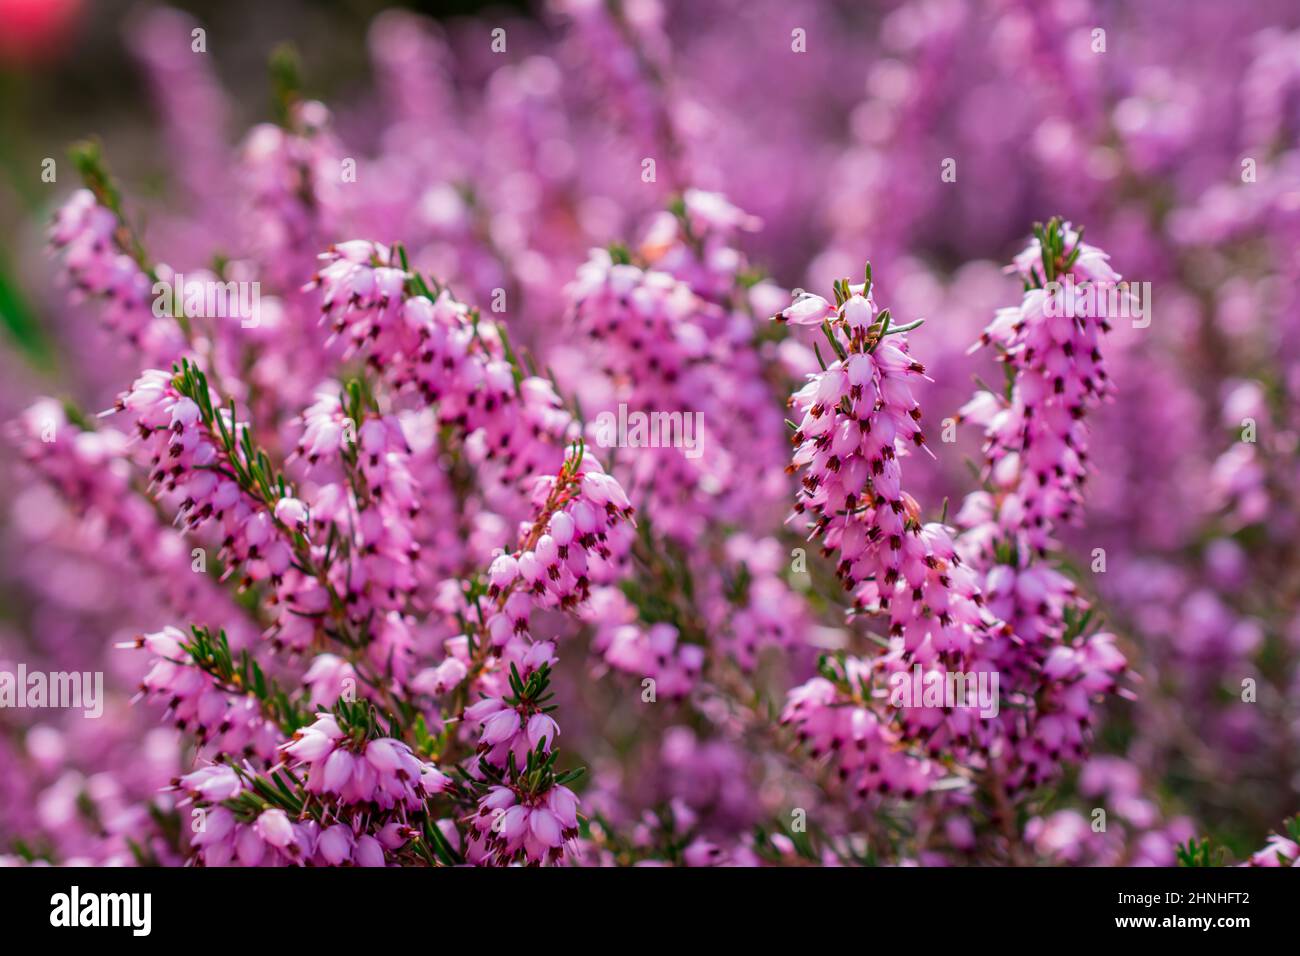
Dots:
{"x": 508, "y": 576}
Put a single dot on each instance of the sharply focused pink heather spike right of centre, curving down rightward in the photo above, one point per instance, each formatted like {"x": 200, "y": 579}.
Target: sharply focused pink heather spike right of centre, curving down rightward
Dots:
{"x": 856, "y": 421}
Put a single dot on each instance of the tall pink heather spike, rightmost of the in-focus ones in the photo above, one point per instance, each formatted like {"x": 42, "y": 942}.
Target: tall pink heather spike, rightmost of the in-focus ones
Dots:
{"x": 1035, "y": 461}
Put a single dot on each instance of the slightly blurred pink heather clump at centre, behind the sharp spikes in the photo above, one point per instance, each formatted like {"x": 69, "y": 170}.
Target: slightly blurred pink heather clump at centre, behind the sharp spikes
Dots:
{"x": 675, "y": 340}
